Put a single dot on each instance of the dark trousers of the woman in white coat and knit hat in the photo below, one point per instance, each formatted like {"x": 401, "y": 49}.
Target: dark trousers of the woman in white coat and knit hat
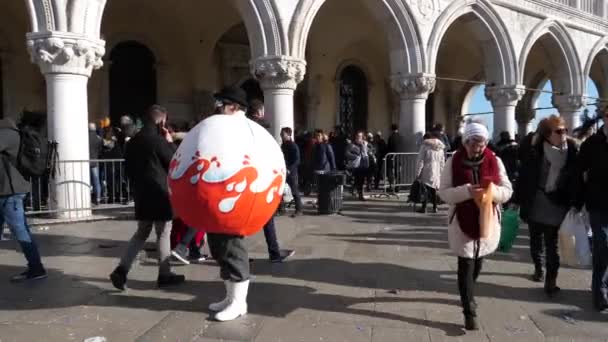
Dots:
{"x": 468, "y": 272}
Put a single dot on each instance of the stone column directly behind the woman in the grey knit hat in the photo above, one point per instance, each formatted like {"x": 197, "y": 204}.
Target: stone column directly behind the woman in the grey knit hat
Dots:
{"x": 504, "y": 100}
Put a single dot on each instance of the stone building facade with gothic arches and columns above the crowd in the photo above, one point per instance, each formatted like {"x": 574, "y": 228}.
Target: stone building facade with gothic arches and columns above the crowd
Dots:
{"x": 317, "y": 63}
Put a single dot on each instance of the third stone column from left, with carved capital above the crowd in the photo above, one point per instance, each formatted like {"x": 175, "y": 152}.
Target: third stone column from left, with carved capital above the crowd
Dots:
{"x": 413, "y": 92}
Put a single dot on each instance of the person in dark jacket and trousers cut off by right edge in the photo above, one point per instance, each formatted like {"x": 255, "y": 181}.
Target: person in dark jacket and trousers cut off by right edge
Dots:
{"x": 592, "y": 171}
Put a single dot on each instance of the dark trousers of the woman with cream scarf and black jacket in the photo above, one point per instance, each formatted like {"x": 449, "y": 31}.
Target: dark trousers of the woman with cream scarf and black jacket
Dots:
{"x": 548, "y": 235}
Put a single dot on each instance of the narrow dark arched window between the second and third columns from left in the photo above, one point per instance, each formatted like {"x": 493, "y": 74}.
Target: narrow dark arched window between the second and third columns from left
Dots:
{"x": 353, "y": 99}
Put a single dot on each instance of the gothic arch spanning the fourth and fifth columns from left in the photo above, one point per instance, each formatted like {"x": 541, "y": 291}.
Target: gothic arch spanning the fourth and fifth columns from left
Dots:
{"x": 564, "y": 56}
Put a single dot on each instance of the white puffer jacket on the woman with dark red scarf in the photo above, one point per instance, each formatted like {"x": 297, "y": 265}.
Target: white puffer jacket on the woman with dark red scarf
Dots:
{"x": 462, "y": 245}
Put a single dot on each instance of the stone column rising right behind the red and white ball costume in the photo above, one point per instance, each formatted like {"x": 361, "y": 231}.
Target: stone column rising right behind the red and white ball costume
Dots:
{"x": 279, "y": 76}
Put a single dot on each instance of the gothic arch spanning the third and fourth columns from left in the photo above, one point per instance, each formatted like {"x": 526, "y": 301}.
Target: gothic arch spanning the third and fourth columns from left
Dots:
{"x": 494, "y": 28}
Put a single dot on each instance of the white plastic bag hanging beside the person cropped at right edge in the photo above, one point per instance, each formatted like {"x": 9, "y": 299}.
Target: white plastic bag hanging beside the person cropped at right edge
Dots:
{"x": 574, "y": 230}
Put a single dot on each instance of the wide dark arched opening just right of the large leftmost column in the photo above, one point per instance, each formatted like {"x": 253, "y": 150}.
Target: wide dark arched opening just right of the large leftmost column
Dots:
{"x": 132, "y": 80}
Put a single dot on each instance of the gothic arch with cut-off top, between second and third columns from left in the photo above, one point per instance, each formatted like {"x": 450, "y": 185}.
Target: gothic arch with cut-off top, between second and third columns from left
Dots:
{"x": 403, "y": 33}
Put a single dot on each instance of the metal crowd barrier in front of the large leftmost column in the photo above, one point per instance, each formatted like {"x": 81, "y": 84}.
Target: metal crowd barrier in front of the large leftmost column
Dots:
{"x": 72, "y": 188}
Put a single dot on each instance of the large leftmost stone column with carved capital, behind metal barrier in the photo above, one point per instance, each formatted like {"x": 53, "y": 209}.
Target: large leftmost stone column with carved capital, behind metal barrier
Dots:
{"x": 67, "y": 60}
